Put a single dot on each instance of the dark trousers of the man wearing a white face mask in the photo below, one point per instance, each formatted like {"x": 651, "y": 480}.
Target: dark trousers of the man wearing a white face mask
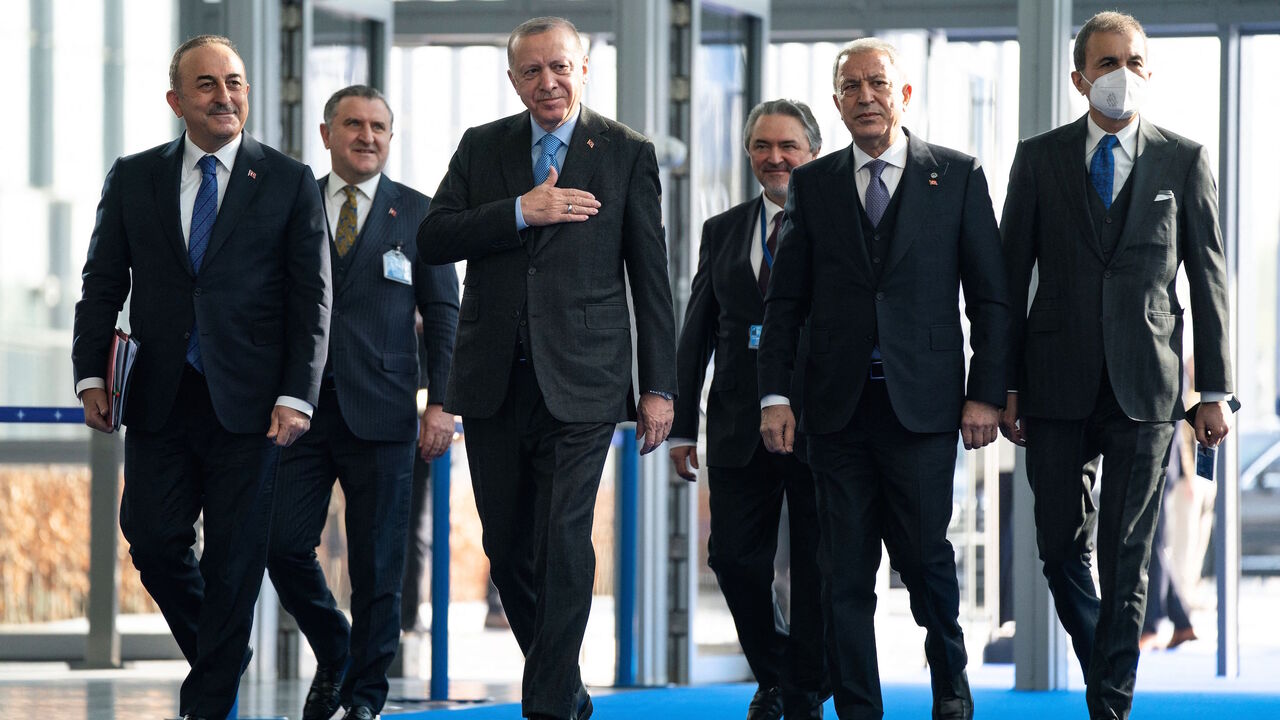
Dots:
{"x": 1105, "y": 627}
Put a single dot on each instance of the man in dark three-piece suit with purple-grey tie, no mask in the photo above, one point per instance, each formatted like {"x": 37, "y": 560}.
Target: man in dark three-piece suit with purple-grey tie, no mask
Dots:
{"x": 877, "y": 277}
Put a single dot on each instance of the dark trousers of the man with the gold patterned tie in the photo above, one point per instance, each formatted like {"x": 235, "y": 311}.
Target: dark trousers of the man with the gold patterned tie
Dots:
{"x": 376, "y": 481}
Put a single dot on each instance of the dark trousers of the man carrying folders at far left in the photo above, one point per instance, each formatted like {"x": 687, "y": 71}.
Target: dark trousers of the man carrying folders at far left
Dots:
{"x": 195, "y": 466}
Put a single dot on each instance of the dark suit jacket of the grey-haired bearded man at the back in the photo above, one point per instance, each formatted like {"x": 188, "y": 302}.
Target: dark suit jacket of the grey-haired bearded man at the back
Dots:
{"x": 724, "y": 303}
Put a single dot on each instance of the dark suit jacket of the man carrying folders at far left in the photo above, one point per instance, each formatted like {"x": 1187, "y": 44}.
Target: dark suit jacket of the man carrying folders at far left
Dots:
{"x": 262, "y": 299}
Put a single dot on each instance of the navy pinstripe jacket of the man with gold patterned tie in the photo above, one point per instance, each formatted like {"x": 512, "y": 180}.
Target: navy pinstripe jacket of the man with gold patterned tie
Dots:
{"x": 373, "y": 347}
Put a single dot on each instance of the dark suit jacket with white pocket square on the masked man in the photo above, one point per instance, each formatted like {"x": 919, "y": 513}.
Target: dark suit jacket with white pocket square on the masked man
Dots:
{"x": 1124, "y": 312}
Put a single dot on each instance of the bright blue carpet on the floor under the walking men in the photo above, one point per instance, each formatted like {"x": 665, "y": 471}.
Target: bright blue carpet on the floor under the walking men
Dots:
{"x": 902, "y": 703}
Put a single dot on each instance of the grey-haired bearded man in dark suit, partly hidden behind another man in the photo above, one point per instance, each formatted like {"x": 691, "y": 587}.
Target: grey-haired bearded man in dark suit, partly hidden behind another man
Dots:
{"x": 748, "y": 484}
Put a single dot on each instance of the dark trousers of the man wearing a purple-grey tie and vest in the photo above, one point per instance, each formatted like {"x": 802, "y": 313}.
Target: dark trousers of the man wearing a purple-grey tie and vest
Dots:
{"x": 877, "y": 481}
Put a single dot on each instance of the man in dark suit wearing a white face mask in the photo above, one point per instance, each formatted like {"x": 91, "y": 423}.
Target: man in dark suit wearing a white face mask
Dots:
{"x": 1109, "y": 207}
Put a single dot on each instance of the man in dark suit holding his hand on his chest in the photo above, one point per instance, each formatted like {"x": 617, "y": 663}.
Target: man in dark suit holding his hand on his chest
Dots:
{"x": 552, "y": 209}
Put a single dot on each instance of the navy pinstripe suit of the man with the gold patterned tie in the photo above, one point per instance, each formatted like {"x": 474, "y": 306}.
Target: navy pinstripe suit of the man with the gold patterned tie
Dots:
{"x": 364, "y": 435}
